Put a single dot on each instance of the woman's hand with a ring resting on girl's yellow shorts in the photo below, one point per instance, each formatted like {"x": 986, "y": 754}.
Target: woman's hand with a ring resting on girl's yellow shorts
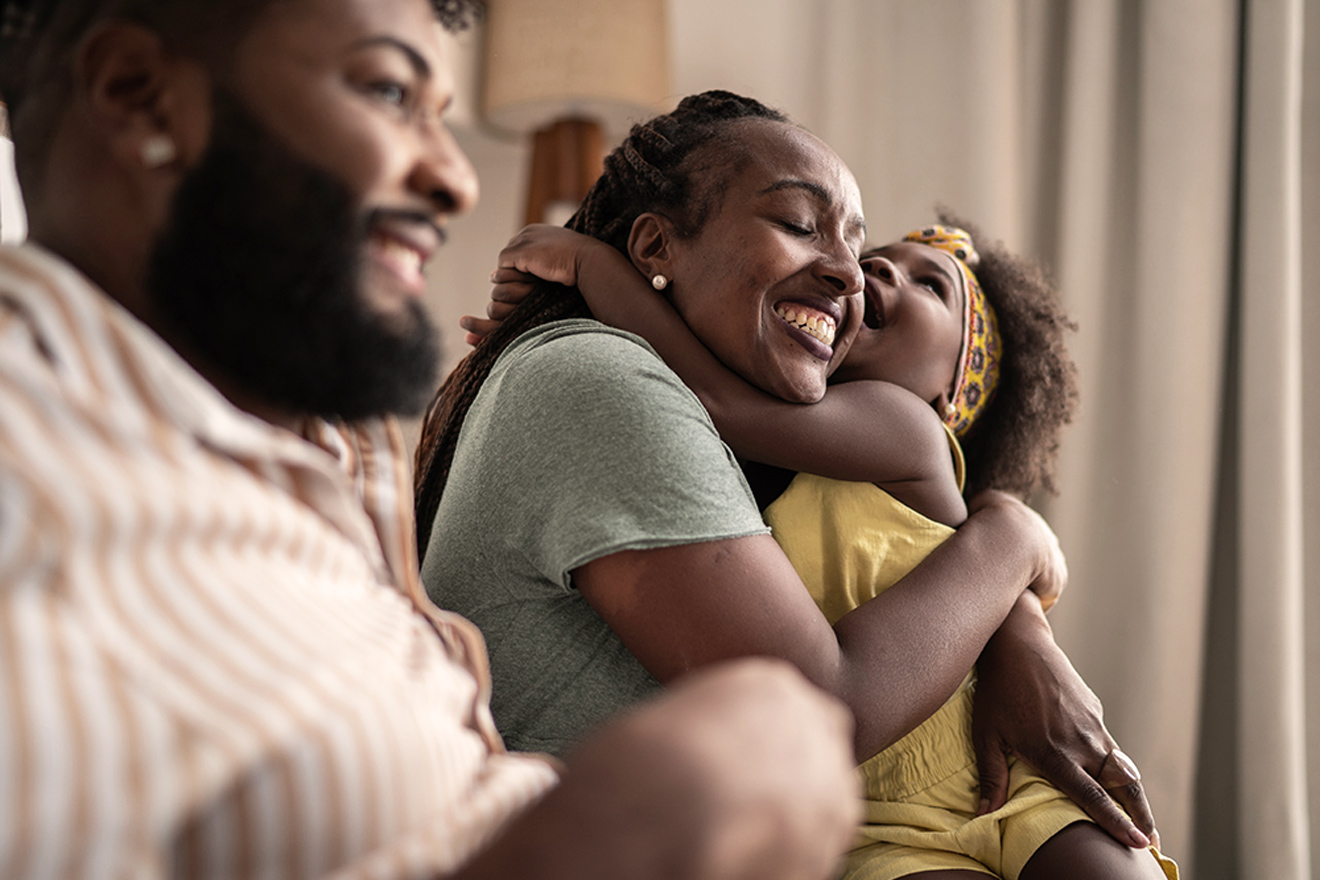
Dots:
{"x": 1033, "y": 704}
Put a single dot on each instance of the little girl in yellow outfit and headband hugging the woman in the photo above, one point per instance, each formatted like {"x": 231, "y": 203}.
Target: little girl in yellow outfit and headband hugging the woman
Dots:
{"x": 959, "y": 360}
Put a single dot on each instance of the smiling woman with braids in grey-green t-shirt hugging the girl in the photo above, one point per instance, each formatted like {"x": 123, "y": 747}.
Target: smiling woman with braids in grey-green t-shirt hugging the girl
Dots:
{"x": 581, "y": 507}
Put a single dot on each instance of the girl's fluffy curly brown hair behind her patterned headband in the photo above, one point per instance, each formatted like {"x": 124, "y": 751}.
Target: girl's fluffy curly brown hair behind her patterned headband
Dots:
{"x": 1014, "y": 445}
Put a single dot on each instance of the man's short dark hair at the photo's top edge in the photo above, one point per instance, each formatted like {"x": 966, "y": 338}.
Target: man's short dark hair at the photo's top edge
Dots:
{"x": 39, "y": 39}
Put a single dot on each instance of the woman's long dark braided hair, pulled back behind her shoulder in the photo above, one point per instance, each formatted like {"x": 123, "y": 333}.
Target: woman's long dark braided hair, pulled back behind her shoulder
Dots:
{"x": 674, "y": 166}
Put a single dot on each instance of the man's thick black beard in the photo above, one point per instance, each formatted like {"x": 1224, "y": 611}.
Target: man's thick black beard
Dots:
{"x": 261, "y": 272}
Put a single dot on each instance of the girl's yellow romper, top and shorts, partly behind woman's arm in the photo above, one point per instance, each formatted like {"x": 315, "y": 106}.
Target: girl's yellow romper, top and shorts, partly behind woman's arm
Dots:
{"x": 849, "y": 543}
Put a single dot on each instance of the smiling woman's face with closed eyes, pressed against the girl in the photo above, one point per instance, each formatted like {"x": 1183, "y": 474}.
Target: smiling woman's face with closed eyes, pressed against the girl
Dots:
{"x": 772, "y": 282}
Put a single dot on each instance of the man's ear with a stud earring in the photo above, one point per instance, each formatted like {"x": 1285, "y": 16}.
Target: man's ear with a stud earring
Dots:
{"x": 154, "y": 108}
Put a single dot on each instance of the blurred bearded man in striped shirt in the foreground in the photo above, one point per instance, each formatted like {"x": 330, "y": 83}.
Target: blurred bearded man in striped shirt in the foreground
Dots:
{"x": 216, "y": 659}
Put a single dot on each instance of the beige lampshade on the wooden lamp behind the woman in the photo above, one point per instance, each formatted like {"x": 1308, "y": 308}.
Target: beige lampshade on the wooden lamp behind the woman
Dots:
{"x": 600, "y": 60}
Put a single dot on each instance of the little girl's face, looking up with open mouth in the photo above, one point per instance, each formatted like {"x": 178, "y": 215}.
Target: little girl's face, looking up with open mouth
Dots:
{"x": 913, "y": 328}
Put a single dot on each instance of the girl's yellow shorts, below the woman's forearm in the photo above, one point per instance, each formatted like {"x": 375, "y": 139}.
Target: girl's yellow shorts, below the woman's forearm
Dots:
{"x": 923, "y": 794}
